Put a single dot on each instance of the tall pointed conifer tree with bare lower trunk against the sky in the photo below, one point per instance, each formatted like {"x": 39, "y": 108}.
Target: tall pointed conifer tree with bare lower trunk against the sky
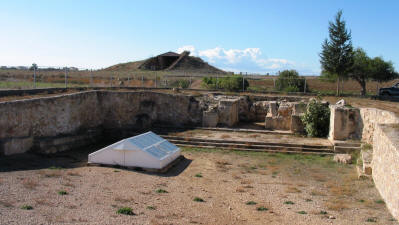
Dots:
{"x": 336, "y": 58}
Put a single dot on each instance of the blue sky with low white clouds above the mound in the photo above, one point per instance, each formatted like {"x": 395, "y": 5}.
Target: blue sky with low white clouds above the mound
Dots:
{"x": 237, "y": 35}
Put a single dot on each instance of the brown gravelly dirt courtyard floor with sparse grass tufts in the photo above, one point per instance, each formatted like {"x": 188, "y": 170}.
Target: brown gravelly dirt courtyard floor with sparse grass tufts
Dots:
{"x": 236, "y": 188}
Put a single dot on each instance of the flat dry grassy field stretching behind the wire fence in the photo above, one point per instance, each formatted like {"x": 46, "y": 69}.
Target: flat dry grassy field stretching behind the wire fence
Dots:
{"x": 23, "y": 79}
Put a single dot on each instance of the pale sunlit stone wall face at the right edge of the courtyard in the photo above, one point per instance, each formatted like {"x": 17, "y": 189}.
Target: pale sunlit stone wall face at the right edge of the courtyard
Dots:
{"x": 385, "y": 164}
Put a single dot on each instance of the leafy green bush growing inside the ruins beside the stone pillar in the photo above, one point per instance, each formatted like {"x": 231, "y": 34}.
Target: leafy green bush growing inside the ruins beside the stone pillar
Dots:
{"x": 316, "y": 119}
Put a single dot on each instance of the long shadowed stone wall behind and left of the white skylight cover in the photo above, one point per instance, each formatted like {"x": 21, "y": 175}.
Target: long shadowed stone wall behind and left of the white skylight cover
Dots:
{"x": 59, "y": 123}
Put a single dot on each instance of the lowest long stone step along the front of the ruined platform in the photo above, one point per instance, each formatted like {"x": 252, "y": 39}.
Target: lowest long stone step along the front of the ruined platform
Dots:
{"x": 247, "y": 143}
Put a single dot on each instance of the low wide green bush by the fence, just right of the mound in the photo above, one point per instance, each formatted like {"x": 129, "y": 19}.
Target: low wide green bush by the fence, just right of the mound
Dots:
{"x": 229, "y": 83}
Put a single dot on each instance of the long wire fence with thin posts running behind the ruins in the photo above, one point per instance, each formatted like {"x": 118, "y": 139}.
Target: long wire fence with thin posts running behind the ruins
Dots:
{"x": 68, "y": 77}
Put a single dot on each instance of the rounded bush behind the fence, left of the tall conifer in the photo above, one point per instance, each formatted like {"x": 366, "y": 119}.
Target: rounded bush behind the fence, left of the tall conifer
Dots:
{"x": 289, "y": 81}
